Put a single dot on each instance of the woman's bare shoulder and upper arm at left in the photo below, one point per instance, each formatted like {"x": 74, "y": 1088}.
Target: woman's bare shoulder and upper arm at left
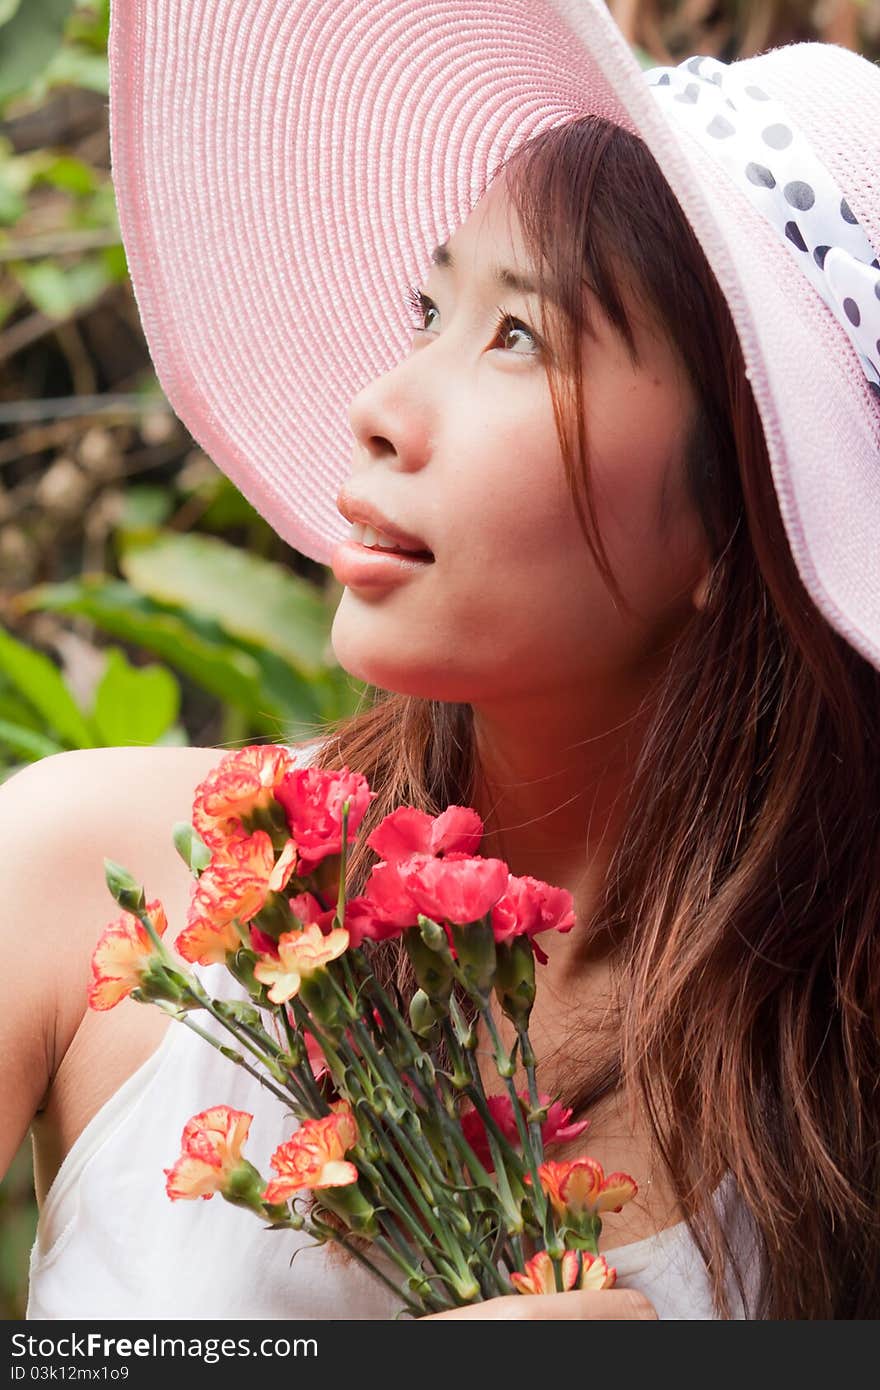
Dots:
{"x": 59, "y": 819}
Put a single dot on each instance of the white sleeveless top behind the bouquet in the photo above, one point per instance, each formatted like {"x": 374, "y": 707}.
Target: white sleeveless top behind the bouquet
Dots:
{"x": 111, "y": 1243}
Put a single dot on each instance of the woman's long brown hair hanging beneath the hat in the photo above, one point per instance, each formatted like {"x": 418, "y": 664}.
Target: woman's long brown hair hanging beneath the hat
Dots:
{"x": 742, "y": 900}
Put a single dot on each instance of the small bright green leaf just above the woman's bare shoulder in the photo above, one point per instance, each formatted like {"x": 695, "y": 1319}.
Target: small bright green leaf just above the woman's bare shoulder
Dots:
{"x": 134, "y": 705}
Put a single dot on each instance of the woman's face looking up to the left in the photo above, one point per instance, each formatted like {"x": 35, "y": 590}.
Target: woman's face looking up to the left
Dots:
{"x": 458, "y": 447}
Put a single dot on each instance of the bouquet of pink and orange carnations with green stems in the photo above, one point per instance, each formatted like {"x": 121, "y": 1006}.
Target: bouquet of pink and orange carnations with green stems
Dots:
{"x": 397, "y": 1149}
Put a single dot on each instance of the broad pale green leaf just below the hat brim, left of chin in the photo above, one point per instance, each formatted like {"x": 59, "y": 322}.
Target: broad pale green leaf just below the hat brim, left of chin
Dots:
{"x": 251, "y": 598}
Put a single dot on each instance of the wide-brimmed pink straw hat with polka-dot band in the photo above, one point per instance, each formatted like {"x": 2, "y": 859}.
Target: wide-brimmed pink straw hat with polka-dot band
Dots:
{"x": 284, "y": 167}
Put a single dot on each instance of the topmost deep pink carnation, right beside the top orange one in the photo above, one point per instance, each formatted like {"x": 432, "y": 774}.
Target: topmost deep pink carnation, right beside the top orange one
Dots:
{"x": 313, "y": 800}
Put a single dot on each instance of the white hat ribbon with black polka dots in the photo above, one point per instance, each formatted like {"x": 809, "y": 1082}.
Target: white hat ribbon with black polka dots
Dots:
{"x": 769, "y": 158}
